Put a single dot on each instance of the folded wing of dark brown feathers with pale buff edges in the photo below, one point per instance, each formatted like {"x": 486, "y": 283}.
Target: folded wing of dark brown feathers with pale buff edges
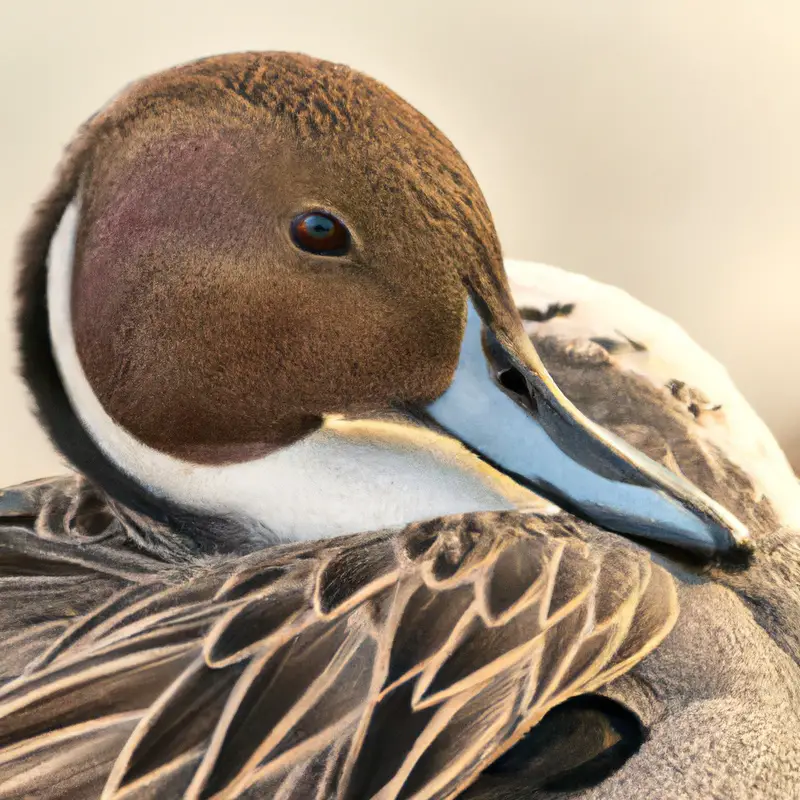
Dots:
{"x": 392, "y": 665}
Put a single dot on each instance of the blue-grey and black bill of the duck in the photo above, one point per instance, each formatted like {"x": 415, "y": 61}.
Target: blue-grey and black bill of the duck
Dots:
{"x": 505, "y": 407}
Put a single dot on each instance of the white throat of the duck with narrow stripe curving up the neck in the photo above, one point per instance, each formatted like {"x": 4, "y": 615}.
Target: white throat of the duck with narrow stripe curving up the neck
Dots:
{"x": 345, "y": 478}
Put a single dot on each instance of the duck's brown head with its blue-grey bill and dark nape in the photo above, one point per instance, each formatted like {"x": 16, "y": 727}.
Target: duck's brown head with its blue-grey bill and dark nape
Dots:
{"x": 239, "y": 249}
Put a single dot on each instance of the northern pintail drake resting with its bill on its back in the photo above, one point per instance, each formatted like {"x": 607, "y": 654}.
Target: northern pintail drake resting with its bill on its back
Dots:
{"x": 334, "y": 530}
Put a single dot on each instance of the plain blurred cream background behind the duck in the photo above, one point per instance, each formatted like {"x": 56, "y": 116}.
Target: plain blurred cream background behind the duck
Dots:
{"x": 653, "y": 145}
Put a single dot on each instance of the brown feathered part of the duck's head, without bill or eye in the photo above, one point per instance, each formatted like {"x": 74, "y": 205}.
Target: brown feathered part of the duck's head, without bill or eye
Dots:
{"x": 200, "y": 322}
